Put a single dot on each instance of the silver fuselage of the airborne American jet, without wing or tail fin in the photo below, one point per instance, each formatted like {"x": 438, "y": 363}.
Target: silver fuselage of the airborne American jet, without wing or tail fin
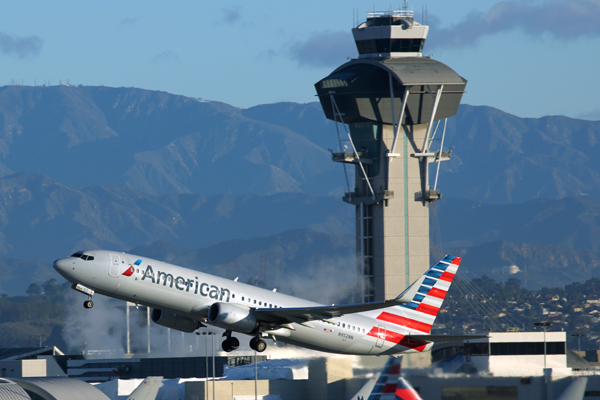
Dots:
{"x": 189, "y": 293}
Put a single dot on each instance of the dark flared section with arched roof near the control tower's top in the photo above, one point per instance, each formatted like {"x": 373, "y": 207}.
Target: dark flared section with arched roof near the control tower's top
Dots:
{"x": 373, "y": 90}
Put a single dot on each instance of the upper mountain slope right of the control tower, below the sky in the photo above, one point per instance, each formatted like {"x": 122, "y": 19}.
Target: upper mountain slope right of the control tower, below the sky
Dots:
{"x": 500, "y": 158}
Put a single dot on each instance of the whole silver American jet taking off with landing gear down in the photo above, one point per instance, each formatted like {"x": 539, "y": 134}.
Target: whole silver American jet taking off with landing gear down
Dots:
{"x": 185, "y": 300}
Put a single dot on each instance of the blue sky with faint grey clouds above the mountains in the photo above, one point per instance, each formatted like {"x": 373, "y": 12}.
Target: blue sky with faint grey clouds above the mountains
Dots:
{"x": 528, "y": 58}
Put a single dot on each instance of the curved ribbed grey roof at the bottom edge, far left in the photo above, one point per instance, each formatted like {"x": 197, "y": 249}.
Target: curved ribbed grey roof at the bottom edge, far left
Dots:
{"x": 60, "y": 388}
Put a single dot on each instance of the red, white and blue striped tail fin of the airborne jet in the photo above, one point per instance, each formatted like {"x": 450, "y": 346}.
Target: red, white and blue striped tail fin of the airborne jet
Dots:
{"x": 424, "y": 297}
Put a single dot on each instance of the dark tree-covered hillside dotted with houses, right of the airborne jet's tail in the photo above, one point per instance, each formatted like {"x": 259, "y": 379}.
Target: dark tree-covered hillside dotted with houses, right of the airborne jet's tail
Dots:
{"x": 483, "y": 304}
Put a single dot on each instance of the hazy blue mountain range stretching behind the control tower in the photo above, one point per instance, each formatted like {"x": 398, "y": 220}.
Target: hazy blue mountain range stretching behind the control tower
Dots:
{"x": 220, "y": 188}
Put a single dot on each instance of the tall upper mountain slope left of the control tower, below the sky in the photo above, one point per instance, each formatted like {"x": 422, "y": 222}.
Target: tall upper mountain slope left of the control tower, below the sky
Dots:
{"x": 154, "y": 142}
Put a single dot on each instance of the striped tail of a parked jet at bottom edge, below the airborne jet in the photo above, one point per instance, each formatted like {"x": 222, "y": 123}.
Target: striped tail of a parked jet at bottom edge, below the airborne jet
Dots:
{"x": 388, "y": 384}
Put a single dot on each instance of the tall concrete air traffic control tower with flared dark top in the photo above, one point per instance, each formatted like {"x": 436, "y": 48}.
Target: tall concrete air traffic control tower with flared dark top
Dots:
{"x": 390, "y": 106}
